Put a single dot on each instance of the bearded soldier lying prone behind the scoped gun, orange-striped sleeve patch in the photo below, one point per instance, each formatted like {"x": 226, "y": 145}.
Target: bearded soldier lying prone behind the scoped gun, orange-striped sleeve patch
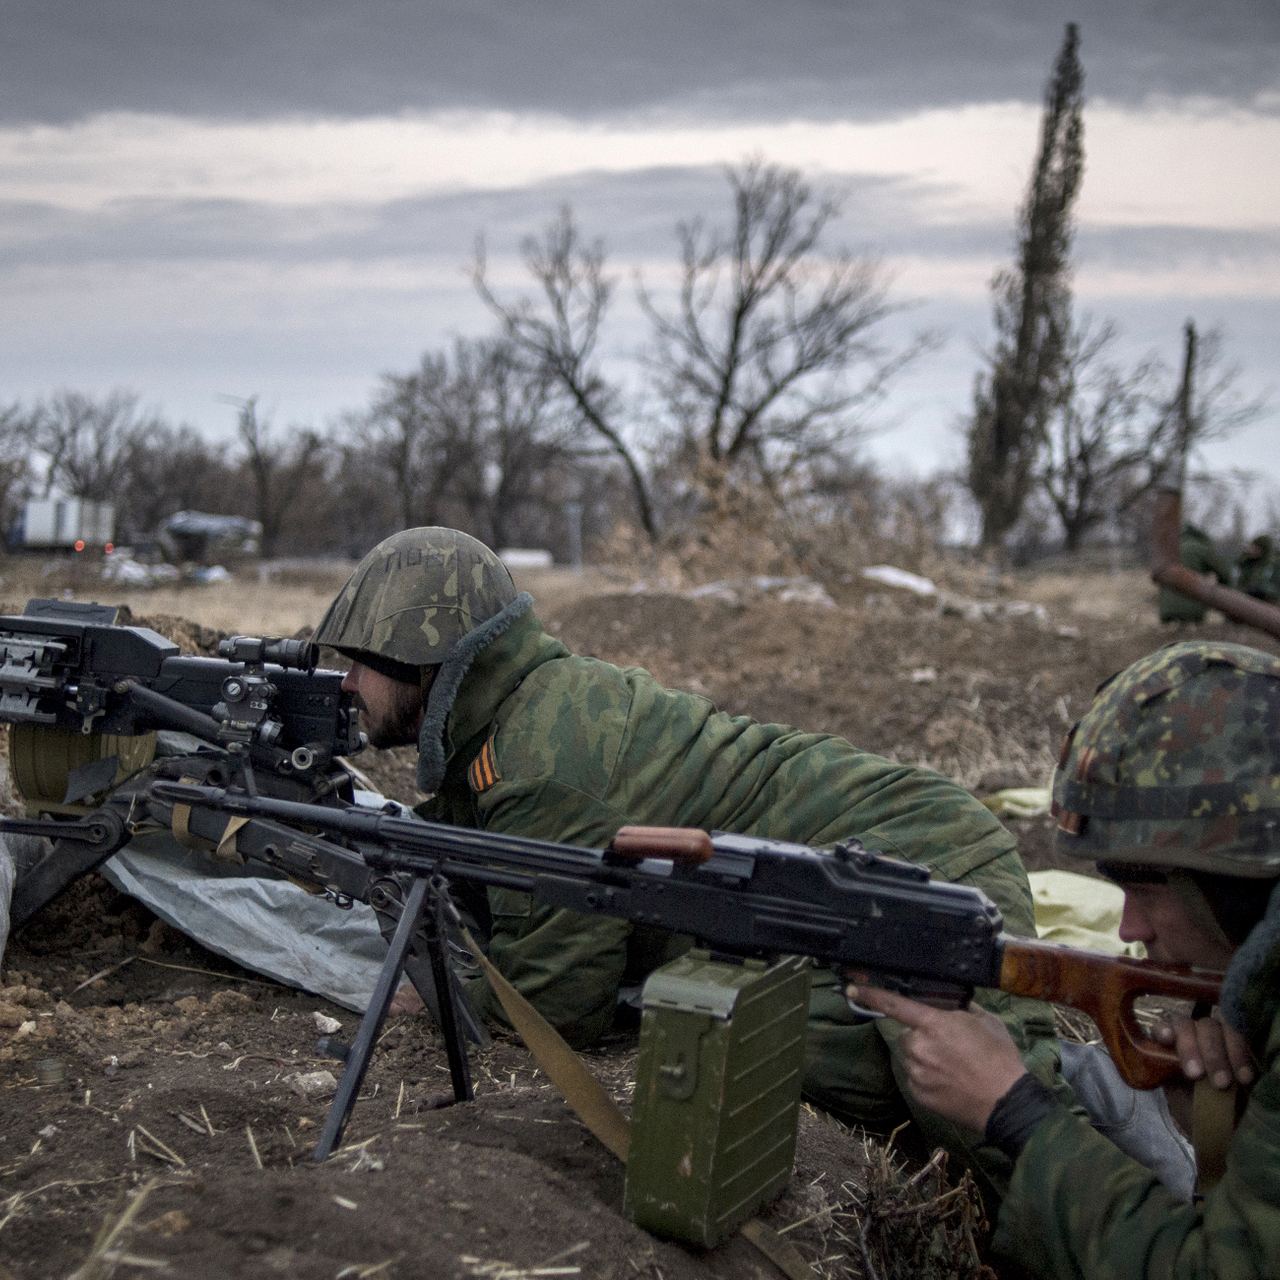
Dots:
{"x": 519, "y": 735}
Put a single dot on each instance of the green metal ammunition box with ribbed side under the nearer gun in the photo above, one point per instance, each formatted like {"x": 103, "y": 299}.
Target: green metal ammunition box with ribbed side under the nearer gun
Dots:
{"x": 717, "y": 1100}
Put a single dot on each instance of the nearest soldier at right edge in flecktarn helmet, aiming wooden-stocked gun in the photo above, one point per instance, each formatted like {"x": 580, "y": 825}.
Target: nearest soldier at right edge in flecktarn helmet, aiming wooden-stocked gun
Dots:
{"x": 1172, "y": 785}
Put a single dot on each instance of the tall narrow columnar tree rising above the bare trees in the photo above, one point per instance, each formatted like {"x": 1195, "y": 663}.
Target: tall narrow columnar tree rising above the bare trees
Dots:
{"x": 1034, "y": 313}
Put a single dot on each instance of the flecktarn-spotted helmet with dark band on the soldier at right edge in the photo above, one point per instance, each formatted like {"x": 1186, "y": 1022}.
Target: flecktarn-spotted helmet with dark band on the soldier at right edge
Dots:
{"x": 1177, "y": 764}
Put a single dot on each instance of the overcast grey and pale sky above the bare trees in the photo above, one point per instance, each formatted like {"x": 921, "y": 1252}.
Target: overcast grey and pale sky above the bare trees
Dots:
{"x": 281, "y": 199}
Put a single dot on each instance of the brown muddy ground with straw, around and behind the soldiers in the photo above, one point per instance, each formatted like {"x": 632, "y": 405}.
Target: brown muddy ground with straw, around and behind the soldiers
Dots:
{"x": 180, "y": 1108}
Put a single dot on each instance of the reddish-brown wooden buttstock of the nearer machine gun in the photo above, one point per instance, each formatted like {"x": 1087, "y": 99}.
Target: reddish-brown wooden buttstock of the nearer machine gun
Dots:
{"x": 1105, "y": 988}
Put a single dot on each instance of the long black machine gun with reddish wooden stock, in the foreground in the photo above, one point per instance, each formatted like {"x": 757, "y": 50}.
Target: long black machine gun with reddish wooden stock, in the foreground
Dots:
{"x": 874, "y": 920}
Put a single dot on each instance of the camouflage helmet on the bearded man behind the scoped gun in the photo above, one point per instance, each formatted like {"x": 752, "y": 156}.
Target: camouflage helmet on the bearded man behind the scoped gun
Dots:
{"x": 414, "y": 597}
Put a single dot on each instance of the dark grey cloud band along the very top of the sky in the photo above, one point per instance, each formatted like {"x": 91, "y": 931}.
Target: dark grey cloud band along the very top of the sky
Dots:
{"x": 63, "y": 60}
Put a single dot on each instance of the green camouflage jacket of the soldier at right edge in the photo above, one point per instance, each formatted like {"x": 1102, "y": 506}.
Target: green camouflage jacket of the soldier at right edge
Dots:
{"x": 1080, "y": 1209}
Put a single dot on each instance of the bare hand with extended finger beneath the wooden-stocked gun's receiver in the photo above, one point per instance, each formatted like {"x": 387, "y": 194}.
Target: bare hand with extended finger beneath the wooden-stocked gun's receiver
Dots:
{"x": 959, "y": 1063}
